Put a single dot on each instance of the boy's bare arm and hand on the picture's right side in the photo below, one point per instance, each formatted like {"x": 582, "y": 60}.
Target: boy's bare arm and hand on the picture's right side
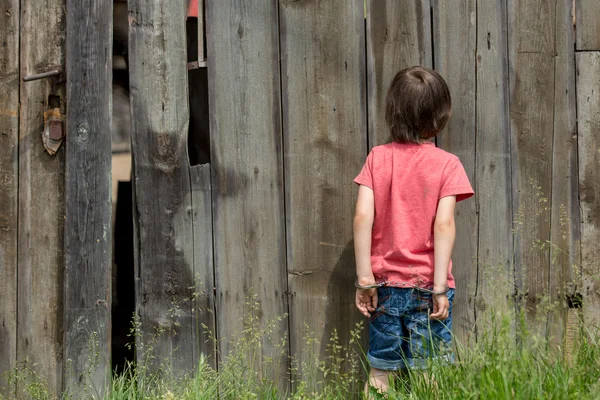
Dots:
{"x": 444, "y": 233}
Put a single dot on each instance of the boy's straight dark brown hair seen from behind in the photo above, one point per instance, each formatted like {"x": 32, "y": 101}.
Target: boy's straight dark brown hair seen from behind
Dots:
{"x": 418, "y": 105}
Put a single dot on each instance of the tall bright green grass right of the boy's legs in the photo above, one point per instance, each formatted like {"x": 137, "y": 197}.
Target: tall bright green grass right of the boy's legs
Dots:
{"x": 498, "y": 368}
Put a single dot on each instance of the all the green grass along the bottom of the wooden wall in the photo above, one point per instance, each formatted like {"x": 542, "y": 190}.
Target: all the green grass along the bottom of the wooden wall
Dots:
{"x": 498, "y": 366}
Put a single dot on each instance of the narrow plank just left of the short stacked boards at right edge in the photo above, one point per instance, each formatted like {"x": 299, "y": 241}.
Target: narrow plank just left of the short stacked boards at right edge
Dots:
{"x": 565, "y": 250}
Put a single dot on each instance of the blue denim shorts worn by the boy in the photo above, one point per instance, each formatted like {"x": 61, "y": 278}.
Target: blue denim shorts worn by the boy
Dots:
{"x": 402, "y": 336}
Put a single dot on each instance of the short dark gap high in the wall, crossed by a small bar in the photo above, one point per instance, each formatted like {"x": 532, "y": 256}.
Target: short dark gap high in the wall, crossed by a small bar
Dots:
{"x": 199, "y": 126}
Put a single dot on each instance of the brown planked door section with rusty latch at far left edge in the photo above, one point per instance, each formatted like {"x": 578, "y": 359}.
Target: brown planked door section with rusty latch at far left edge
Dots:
{"x": 32, "y": 160}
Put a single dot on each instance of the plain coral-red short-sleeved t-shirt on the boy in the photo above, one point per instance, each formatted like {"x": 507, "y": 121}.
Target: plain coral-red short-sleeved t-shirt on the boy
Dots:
{"x": 407, "y": 181}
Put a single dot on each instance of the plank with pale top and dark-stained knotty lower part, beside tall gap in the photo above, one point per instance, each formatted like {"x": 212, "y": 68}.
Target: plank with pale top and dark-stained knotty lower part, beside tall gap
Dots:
{"x": 164, "y": 257}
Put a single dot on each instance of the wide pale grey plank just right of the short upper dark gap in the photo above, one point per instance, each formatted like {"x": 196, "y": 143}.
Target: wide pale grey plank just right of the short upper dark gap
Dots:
{"x": 247, "y": 178}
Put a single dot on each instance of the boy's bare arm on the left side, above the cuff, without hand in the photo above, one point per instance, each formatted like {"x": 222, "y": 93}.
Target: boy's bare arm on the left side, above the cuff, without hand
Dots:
{"x": 363, "y": 226}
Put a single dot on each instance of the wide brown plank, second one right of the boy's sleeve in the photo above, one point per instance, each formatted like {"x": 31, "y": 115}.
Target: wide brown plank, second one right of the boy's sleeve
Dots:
{"x": 531, "y": 32}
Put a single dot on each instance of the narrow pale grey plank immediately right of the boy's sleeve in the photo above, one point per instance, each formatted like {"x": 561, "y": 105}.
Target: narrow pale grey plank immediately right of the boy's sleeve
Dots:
{"x": 493, "y": 167}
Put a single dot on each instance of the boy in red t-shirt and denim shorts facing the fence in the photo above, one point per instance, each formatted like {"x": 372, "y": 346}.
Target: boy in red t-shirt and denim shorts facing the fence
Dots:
{"x": 404, "y": 230}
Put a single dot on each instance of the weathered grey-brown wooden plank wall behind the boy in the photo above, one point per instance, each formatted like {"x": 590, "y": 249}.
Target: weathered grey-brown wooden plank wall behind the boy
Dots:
{"x": 296, "y": 92}
